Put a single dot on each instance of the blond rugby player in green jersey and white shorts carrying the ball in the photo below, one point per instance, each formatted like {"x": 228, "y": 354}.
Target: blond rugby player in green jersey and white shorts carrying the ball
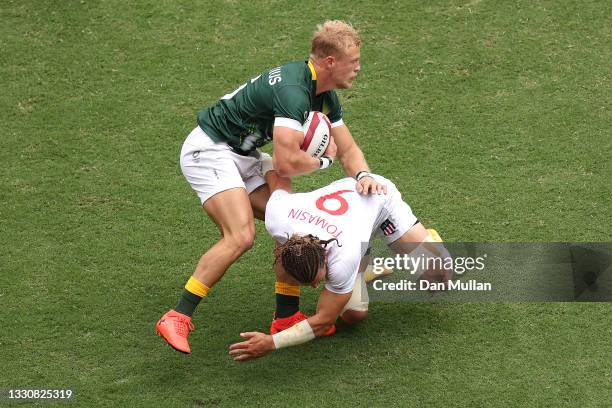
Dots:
{"x": 221, "y": 162}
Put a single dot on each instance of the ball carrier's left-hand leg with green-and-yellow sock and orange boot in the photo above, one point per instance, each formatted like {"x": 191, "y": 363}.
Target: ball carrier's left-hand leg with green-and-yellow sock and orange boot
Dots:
{"x": 231, "y": 211}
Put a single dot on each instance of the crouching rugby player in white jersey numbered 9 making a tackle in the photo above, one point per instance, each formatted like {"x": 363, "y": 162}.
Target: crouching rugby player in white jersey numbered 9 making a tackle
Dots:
{"x": 324, "y": 234}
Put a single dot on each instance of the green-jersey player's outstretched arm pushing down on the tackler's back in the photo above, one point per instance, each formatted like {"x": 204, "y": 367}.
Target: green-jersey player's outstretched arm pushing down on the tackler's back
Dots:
{"x": 353, "y": 162}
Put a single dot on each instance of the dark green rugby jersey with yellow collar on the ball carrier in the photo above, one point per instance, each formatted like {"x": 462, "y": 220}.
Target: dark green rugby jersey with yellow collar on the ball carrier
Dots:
{"x": 244, "y": 119}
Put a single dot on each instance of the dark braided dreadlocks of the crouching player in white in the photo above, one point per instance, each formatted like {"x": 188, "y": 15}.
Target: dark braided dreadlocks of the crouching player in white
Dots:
{"x": 302, "y": 256}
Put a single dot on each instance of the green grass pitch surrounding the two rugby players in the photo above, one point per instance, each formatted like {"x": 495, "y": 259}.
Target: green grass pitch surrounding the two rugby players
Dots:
{"x": 492, "y": 117}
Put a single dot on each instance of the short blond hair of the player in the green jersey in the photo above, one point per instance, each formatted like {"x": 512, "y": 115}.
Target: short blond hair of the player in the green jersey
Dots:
{"x": 334, "y": 37}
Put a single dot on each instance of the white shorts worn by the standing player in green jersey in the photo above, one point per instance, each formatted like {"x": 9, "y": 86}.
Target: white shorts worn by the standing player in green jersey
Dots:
{"x": 211, "y": 168}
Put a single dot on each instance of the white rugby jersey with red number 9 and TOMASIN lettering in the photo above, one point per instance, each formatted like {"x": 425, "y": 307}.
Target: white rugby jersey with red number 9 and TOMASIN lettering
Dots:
{"x": 335, "y": 211}
